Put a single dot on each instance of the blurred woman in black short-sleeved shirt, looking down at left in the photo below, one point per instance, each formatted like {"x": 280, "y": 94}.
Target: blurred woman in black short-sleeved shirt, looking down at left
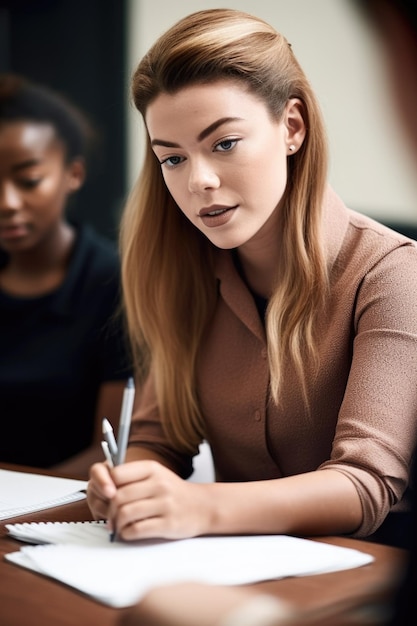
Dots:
{"x": 63, "y": 364}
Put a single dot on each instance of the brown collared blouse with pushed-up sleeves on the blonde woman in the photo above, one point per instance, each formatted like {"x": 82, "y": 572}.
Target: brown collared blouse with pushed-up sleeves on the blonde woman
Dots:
{"x": 363, "y": 399}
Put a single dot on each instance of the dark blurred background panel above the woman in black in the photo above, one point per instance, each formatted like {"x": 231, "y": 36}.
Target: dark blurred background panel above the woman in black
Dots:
{"x": 78, "y": 47}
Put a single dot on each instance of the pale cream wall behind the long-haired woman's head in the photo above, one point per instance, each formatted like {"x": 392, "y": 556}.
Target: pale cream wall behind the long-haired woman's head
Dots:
{"x": 371, "y": 164}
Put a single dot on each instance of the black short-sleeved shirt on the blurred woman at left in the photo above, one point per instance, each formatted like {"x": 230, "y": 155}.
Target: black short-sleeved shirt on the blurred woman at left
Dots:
{"x": 55, "y": 351}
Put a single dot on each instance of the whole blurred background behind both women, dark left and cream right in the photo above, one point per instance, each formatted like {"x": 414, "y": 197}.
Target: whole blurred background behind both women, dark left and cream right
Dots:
{"x": 87, "y": 50}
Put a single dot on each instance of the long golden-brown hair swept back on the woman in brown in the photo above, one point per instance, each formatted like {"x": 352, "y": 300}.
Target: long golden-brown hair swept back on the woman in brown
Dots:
{"x": 168, "y": 282}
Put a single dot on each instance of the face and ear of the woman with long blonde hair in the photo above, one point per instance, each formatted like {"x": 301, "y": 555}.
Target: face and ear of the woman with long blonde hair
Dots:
{"x": 223, "y": 157}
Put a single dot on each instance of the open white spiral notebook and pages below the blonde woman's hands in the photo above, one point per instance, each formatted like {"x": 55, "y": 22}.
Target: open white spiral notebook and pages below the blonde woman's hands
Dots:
{"x": 118, "y": 574}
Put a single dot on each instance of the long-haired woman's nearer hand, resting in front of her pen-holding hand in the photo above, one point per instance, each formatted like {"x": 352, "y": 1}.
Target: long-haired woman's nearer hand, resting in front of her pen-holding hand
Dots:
{"x": 153, "y": 502}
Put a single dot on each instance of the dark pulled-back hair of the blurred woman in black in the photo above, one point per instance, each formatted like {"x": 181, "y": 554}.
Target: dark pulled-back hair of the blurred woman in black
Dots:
{"x": 24, "y": 100}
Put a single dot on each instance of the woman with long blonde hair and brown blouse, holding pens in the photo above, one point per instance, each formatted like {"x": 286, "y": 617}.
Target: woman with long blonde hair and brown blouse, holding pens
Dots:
{"x": 278, "y": 324}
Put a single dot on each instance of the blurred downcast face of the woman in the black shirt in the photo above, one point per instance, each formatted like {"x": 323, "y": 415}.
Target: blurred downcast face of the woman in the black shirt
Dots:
{"x": 34, "y": 184}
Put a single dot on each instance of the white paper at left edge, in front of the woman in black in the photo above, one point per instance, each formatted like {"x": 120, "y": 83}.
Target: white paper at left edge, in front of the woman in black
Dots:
{"x": 21, "y": 492}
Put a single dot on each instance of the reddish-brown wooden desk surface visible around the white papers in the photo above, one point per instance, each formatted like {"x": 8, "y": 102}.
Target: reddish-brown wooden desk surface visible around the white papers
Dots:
{"x": 29, "y": 598}
